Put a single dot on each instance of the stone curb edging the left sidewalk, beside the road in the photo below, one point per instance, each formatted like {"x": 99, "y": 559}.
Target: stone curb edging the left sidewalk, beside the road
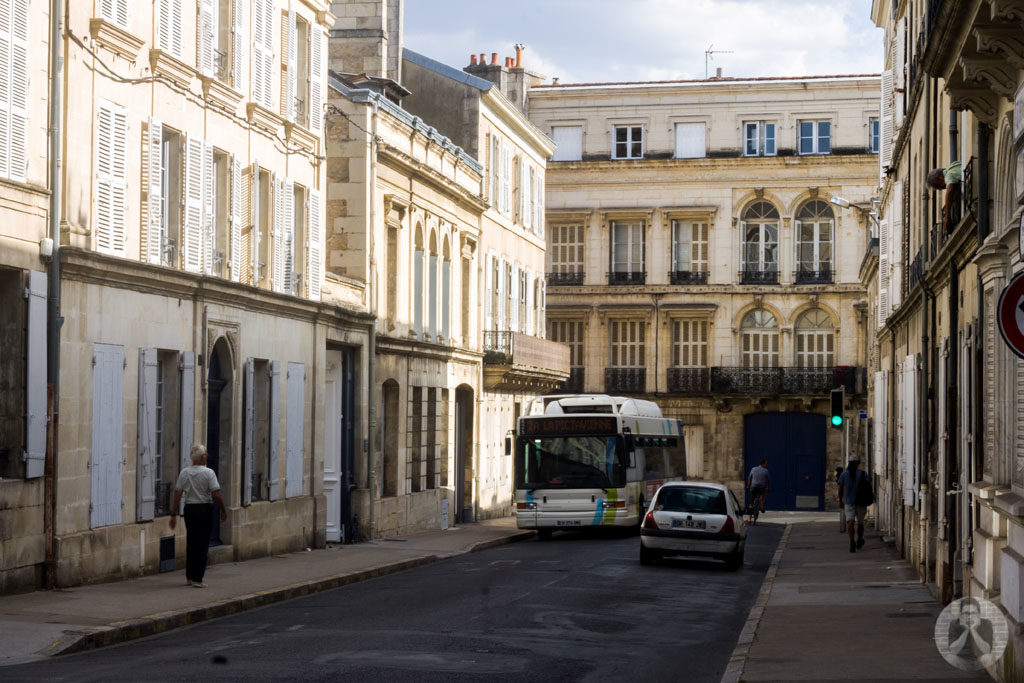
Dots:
{"x": 120, "y": 632}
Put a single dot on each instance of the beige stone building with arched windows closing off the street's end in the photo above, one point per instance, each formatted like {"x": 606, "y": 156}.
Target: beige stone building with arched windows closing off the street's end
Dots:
{"x": 696, "y": 259}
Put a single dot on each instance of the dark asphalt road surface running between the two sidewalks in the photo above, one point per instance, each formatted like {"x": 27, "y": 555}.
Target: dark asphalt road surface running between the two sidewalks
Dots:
{"x": 579, "y": 608}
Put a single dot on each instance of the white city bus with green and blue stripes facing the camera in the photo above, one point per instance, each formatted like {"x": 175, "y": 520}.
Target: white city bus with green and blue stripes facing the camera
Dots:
{"x": 592, "y": 460}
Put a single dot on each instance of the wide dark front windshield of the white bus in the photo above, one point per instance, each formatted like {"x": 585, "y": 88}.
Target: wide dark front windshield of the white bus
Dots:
{"x": 571, "y": 462}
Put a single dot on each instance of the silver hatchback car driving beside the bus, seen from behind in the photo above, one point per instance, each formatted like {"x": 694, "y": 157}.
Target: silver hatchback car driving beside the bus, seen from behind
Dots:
{"x": 694, "y": 519}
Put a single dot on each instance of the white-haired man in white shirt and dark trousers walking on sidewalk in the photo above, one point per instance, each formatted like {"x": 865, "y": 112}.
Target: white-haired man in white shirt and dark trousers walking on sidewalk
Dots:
{"x": 199, "y": 486}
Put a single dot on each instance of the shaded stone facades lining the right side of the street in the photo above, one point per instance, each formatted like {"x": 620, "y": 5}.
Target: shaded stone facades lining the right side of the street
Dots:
{"x": 947, "y": 390}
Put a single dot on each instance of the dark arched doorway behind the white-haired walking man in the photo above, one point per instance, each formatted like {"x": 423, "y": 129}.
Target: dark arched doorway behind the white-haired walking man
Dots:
{"x": 219, "y": 425}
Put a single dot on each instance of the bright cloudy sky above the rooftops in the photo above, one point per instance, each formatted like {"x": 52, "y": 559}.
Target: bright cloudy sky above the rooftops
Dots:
{"x": 586, "y": 41}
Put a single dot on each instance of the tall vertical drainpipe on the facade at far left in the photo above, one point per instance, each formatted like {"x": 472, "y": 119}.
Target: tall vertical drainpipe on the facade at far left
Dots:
{"x": 54, "y": 320}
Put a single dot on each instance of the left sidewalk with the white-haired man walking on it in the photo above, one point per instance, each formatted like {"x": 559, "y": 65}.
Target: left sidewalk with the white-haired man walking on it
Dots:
{"x": 47, "y": 623}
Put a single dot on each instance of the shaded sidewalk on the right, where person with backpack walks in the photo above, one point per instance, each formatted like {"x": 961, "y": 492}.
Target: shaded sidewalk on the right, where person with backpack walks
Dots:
{"x": 825, "y": 614}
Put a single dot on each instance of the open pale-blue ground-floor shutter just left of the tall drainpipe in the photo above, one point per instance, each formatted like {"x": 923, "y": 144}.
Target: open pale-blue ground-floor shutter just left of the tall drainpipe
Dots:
{"x": 35, "y": 387}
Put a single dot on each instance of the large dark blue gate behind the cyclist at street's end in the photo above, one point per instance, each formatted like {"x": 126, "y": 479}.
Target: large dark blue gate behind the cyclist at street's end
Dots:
{"x": 794, "y": 445}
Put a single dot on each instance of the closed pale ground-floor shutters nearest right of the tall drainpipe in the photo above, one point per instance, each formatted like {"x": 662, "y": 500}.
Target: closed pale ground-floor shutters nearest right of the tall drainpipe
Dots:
{"x": 107, "y": 459}
